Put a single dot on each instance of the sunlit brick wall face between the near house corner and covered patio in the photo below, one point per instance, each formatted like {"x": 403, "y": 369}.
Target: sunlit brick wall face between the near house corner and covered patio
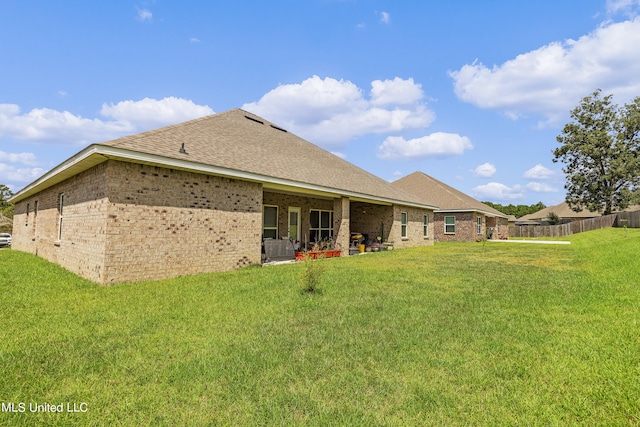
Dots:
{"x": 164, "y": 223}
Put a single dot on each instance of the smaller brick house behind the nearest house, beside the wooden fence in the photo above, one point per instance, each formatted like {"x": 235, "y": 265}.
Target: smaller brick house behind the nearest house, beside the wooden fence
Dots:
{"x": 458, "y": 217}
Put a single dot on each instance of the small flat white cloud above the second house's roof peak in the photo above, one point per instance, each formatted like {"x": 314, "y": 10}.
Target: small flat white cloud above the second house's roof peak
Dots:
{"x": 438, "y": 144}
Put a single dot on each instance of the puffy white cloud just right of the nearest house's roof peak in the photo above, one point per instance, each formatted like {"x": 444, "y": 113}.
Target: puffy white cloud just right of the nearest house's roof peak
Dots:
{"x": 330, "y": 112}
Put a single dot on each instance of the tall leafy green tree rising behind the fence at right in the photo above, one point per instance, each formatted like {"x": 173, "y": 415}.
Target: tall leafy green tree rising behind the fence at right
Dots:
{"x": 600, "y": 149}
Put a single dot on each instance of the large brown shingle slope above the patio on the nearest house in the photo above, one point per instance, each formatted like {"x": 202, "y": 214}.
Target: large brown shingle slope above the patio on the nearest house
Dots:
{"x": 241, "y": 141}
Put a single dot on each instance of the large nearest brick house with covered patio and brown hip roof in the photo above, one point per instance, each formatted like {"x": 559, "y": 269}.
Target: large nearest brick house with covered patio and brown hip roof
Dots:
{"x": 200, "y": 197}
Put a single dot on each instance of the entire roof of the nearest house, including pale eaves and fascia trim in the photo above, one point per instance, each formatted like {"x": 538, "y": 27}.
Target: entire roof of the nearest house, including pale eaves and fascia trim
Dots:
{"x": 240, "y": 145}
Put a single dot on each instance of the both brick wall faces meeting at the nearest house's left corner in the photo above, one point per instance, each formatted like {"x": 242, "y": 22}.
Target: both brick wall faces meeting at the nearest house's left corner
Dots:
{"x": 128, "y": 222}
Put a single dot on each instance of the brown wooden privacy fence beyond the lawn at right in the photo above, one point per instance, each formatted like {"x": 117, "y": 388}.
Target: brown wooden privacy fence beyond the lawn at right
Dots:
{"x": 574, "y": 227}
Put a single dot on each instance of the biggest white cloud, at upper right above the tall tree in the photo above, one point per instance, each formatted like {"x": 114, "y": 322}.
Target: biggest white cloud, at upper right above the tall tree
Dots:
{"x": 551, "y": 80}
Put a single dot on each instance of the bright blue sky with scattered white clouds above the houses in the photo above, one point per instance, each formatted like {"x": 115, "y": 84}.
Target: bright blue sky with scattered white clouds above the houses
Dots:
{"x": 471, "y": 92}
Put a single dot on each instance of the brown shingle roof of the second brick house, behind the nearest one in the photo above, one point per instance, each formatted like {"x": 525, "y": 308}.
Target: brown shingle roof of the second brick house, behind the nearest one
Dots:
{"x": 447, "y": 198}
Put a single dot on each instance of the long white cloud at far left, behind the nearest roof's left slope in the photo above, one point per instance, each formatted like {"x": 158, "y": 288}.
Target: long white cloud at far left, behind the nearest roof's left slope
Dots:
{"x": 65, "y": 128}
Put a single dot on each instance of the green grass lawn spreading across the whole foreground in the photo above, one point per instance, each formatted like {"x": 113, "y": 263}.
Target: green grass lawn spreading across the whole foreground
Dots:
{"x": 456, "y": 334}
